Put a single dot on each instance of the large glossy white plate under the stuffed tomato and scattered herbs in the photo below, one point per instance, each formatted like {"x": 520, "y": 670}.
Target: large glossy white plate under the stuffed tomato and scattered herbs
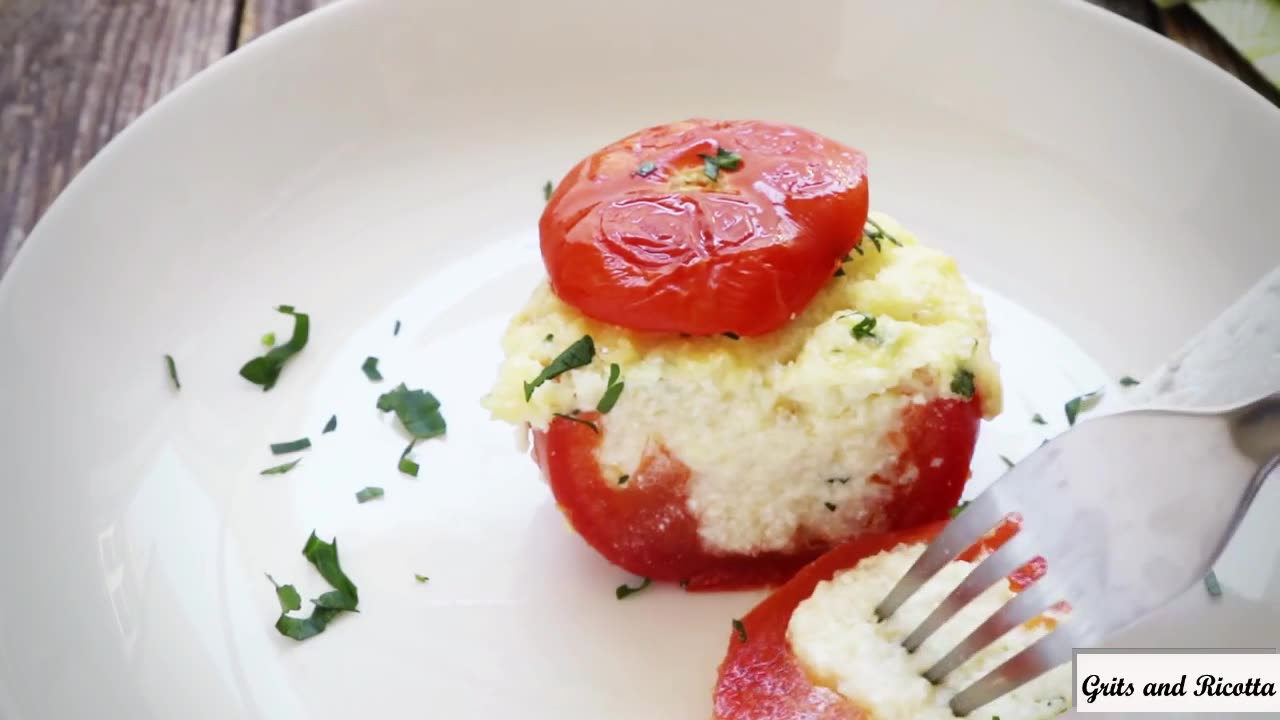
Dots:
{"x": 383, "y": 161}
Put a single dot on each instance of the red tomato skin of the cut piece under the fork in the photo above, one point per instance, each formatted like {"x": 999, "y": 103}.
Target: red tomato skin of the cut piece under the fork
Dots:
{"x": 762, "y": 680}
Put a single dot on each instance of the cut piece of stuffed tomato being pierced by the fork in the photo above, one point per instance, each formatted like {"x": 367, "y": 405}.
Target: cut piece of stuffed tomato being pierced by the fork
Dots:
{"x": 815, "y": 650}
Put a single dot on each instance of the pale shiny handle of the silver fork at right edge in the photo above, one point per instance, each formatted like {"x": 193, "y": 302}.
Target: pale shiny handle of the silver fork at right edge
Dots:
{"x": 1232, "y": 362}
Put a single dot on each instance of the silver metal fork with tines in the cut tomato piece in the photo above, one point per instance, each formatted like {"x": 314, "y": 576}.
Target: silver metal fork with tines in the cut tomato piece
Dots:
{"x": 1128, "y": 511}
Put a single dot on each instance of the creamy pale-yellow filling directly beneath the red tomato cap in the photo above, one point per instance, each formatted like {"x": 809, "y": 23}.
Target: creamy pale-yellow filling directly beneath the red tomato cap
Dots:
{"x": 765, "y": 422}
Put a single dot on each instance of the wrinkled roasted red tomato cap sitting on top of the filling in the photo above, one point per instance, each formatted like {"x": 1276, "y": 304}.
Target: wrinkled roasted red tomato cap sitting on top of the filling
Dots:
{"x": 659, "y": 252}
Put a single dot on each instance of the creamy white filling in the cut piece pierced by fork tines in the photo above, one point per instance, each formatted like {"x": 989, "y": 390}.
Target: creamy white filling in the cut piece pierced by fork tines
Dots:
{"x": 839, "y": 641}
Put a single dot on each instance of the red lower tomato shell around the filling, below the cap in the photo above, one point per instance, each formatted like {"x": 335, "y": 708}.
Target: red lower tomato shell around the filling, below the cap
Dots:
{"x": 647, "y": 528}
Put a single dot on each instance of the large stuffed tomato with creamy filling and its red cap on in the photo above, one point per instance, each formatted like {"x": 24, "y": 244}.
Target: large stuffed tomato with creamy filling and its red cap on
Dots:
{"x": 733, "y": 367}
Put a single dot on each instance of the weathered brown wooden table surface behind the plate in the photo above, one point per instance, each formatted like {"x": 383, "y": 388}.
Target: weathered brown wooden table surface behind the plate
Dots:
{"x": 75, "y": 72}
